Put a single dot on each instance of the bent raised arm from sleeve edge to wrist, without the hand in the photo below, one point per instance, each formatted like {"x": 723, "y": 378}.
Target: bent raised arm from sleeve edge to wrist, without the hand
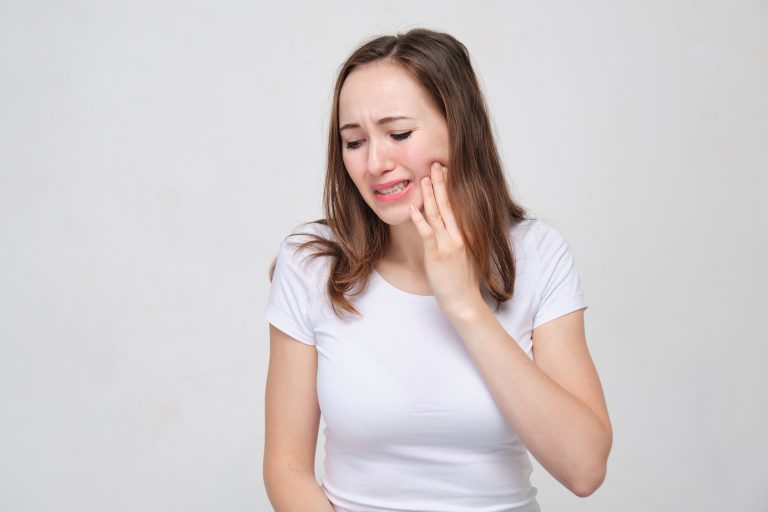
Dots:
{"x": 555, "y": 404}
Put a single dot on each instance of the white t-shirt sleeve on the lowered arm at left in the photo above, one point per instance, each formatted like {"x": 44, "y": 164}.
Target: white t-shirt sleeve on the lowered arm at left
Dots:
{"x": 289, "y": 304}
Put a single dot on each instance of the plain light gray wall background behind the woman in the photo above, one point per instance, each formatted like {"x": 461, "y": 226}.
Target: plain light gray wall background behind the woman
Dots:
{"x": 154, "y": 154}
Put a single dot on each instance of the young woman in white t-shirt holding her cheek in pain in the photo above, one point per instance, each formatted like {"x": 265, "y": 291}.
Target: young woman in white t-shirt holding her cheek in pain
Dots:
{"x": 438, "y": 330}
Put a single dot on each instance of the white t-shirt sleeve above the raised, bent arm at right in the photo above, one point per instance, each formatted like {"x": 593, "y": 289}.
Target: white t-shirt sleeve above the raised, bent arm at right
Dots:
{"x": 559, "y": 284}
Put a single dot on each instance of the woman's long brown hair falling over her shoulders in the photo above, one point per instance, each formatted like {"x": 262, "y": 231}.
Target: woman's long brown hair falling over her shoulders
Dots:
{"x": 441, "y": 64}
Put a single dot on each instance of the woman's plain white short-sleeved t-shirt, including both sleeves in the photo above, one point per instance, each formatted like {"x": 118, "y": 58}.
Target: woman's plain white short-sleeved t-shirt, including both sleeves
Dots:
{"x": 410, "y": 424}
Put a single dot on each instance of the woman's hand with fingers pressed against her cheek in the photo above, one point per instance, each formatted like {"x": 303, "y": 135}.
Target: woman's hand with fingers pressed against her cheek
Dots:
{"x": 451, "y": 270}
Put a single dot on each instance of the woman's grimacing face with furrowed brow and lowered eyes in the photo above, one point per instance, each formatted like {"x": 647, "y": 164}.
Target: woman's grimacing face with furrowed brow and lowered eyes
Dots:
{"x": 381, "y": 151}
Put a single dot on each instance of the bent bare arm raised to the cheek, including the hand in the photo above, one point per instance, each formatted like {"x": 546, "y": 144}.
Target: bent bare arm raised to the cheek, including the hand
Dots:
{"x": 555, "y": 405}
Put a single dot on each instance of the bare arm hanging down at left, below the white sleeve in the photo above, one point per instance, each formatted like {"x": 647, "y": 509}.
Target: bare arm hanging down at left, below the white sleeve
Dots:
{"x": 292, "y": 422}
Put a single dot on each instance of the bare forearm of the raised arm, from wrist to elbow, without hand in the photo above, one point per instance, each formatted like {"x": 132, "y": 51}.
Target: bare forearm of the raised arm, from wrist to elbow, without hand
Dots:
{"x": 564, "y": 435}
